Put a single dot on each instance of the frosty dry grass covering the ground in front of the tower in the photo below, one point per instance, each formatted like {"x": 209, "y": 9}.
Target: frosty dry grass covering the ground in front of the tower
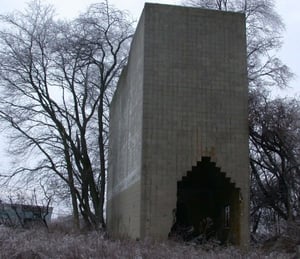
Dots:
{"x": 62, "y": 243}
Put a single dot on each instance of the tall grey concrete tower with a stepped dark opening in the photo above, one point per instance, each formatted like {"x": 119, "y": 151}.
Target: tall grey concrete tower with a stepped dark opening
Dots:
{"x": 178, "y": 133}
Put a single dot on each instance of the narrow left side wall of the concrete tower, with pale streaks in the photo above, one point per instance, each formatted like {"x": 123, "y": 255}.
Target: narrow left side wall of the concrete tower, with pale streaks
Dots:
{"x": 125, "y": 152}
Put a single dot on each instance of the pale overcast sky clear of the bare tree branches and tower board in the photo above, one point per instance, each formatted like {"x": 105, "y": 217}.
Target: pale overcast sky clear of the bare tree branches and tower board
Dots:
{"x": 288, "y": 9}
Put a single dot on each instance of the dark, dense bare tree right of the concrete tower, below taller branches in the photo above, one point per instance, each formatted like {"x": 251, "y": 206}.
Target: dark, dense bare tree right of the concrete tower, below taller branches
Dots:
{"x": 274, "y": 159}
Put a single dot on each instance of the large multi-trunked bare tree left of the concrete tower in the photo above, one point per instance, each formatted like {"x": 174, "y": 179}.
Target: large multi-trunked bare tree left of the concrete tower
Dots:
{"x": 57, "y": 80}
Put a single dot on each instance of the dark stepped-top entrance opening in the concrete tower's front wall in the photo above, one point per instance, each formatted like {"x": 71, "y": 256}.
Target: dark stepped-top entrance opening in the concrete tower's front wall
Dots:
{"x": 207, "y": 205}
